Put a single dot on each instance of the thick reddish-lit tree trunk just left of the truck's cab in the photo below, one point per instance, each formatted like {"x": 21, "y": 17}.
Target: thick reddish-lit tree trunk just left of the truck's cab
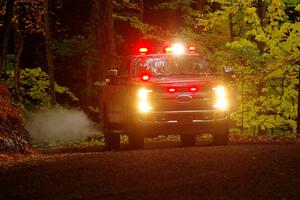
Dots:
{"x": 101, "y": 20}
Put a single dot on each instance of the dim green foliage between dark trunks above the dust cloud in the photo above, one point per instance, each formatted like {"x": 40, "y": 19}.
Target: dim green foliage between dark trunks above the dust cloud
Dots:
{"x": 34, "y": 87}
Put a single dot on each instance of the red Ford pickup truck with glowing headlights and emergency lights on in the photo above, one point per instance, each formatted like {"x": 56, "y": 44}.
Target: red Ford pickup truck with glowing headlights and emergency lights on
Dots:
{"x": 176, "y": 92}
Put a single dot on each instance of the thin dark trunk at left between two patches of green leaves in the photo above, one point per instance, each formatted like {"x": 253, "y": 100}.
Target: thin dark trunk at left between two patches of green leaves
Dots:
{"x": 19, "y": 42}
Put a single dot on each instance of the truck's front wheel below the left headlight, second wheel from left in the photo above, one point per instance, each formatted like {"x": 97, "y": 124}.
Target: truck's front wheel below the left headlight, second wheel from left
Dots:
{"x": 136, "y": 138}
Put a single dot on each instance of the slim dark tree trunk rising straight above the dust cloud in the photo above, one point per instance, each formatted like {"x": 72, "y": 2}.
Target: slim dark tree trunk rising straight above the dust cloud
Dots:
{"x": 49, "y": 54}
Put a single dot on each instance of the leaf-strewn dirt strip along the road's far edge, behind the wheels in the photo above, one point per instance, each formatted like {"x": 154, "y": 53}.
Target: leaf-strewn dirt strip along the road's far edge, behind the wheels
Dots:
{"x": 161, "y": 142}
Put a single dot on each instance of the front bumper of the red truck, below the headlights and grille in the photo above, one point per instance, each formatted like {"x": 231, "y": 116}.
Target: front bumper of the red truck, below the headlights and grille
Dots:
{"x": 182, "y": 122}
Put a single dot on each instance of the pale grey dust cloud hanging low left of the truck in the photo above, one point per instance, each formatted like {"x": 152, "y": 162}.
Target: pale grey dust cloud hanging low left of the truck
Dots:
{"x": 59, "y": 126}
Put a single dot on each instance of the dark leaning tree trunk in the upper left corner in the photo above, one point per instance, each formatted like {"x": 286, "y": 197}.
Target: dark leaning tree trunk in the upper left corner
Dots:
{"x": 7, "y": 28}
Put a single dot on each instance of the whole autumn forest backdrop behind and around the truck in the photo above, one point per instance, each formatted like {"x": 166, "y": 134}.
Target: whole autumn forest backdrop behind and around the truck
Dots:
{"x": 57, "y": 52}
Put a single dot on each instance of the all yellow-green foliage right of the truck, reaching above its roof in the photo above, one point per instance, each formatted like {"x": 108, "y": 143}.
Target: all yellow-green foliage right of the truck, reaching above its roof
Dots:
{"x": 265, "y": 56}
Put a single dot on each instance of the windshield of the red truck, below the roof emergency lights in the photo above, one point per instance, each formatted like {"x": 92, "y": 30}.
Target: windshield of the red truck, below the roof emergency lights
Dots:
{"x": 162, "y": 65}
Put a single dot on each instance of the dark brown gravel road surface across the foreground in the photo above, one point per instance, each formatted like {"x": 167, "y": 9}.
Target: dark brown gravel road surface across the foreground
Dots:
{"x": 207, "y": 172}
